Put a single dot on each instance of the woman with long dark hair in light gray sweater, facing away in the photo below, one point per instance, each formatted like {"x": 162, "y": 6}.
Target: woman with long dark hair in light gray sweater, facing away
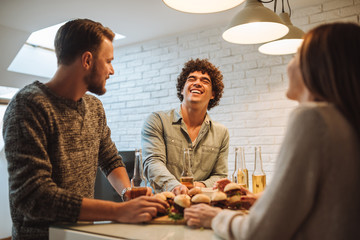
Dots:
{"x": 314, "y": 192}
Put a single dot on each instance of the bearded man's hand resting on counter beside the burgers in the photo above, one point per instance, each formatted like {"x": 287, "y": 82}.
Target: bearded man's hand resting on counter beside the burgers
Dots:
{"x": 141, "y": 209}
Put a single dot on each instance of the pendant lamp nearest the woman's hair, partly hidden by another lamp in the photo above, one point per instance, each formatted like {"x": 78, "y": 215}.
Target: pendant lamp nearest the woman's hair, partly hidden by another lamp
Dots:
{"x": 287, "y": 44}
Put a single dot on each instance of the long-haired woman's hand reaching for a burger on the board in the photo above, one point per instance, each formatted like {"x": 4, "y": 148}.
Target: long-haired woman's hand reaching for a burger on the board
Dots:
{"x": 200, "y": 215}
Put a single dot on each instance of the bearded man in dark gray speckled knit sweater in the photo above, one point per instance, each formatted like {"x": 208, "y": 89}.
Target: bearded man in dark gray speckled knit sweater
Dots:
{"x": 56, "y": 136}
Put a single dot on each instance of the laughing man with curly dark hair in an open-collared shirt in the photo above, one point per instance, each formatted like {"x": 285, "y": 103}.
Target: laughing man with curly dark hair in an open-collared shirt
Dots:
{"x": 165, "y": 134}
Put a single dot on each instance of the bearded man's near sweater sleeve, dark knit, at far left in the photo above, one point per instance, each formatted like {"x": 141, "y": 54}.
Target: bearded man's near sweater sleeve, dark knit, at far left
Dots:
{"x": 32, "y": 190}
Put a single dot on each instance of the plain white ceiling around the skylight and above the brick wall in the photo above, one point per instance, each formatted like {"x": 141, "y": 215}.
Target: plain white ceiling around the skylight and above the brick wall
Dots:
{"x": 138, "y": 20}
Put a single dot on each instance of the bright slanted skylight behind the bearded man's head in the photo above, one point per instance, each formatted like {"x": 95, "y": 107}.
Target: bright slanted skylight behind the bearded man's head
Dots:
{"x": 37, "y": 55}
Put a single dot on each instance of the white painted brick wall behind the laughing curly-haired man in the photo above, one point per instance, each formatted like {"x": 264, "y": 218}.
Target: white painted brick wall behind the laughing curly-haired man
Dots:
{"x": 253, "y": 107}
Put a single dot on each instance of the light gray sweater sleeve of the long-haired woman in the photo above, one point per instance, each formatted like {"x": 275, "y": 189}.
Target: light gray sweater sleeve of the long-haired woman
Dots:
{"x": 291, "y": 194}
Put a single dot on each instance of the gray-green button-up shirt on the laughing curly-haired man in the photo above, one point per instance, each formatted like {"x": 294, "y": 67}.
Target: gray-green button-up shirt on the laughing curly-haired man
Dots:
{"x": 164, "y": 137}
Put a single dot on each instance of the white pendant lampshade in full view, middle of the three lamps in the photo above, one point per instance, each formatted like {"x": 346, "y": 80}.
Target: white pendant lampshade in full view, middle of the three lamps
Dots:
{"x": 255, "y": 24}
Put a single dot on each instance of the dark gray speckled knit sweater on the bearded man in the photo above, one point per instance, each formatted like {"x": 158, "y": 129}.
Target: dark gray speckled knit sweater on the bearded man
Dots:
{"x": 53, "y": 147}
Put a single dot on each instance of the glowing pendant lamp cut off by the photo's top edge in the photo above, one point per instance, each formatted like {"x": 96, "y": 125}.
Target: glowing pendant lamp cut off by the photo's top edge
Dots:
{"x": 202, "y": 6}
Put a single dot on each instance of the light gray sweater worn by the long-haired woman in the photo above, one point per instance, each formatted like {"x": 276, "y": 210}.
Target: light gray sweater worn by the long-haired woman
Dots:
{"x": 314, "y": 193}
